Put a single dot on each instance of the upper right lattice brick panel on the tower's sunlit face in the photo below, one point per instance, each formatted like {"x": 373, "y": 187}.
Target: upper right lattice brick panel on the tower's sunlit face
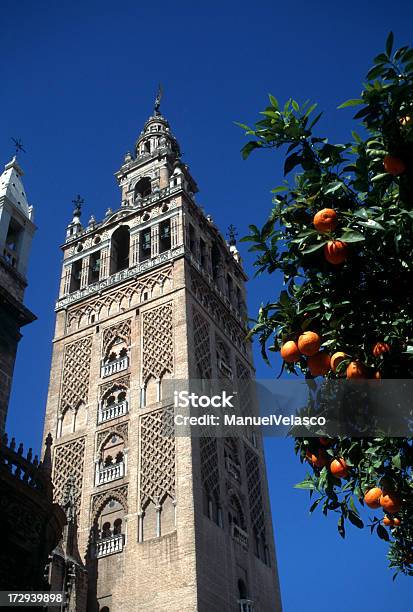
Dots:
{"x": 157, "y": 342}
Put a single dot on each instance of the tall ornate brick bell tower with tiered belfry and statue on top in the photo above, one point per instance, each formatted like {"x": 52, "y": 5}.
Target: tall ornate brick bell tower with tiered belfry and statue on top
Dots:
{"x": 153, "y": 293}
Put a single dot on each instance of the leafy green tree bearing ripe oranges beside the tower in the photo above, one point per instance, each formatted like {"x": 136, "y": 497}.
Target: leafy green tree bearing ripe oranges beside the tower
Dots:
{"x": 340, "y": 233}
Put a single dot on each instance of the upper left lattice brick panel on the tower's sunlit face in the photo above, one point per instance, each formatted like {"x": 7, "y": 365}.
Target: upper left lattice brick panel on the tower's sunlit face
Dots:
{"x": 76, "y": 369}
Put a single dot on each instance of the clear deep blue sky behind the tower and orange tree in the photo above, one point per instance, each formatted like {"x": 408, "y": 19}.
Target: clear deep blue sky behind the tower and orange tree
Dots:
{"x": 77, "y": 83}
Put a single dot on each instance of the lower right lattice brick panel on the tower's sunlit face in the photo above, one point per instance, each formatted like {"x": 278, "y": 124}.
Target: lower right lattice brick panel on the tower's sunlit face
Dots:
{"x": 157, "y": 456}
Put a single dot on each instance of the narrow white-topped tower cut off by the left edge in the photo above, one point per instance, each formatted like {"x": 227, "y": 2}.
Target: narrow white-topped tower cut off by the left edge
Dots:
{"x": 16, "y": 233}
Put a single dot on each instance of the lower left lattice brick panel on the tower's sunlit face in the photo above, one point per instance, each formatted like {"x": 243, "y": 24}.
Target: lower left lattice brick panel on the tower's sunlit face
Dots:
{"x": 68, "y": 461}
